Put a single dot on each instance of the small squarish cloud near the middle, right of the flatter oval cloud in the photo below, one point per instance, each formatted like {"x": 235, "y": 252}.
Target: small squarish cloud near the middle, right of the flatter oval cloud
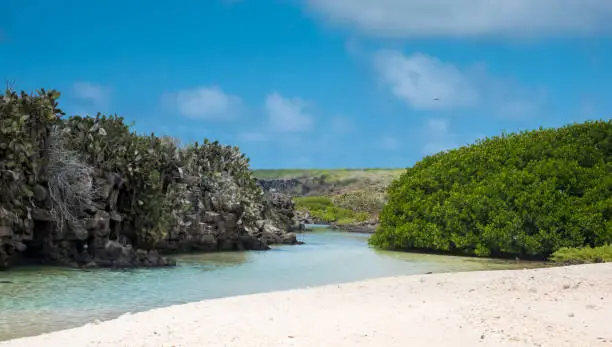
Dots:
{"x": 287, "y": 115}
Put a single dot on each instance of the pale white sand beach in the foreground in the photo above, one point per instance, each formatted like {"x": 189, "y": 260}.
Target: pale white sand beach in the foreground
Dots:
{"x": 568, "y": 306}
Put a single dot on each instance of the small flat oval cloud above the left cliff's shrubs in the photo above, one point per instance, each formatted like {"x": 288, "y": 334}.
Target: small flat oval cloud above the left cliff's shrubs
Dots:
{"x": 209, "y": 102}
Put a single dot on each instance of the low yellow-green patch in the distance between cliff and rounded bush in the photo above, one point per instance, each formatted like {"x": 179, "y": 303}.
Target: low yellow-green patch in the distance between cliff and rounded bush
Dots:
{"x": 323, "y": 210}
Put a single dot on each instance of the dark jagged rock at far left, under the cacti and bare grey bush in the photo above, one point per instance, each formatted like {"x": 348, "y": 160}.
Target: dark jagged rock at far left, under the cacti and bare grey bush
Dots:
{"x": 96, "y": 240}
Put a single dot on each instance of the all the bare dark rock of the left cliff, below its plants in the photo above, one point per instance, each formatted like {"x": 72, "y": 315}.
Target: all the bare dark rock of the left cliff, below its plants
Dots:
{"x": 106, "y": 238}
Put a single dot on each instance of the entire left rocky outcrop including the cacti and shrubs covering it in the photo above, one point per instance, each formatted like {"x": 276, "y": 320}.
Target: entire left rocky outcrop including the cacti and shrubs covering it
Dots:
{"x": 89, "y": 191}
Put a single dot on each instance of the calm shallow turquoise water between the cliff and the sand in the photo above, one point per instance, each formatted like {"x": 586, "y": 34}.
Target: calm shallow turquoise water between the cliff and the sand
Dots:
{"x": 43, "y": 299}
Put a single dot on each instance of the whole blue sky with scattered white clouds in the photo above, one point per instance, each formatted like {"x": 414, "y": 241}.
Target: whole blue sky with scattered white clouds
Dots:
{"x": 318, "y": 83}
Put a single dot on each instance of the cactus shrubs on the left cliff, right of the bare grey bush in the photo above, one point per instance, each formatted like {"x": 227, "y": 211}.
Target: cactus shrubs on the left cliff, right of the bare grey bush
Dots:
{"x": 219, "y": 176}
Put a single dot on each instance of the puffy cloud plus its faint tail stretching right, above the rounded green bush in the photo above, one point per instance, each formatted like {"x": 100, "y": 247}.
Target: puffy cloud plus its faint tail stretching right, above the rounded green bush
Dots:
{"x": 427, "y": 83}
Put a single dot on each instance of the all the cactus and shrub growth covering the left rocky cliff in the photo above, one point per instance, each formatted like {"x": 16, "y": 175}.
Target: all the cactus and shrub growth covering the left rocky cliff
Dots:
{"x": 162, "y": 184}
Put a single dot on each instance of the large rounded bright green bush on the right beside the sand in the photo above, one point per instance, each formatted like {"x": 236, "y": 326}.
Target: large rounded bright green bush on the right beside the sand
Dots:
{"x": 526, "y": 194}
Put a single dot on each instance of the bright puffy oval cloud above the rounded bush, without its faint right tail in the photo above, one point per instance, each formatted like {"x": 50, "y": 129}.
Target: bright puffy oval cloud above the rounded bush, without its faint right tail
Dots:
{"x": 425, "y": 82}
